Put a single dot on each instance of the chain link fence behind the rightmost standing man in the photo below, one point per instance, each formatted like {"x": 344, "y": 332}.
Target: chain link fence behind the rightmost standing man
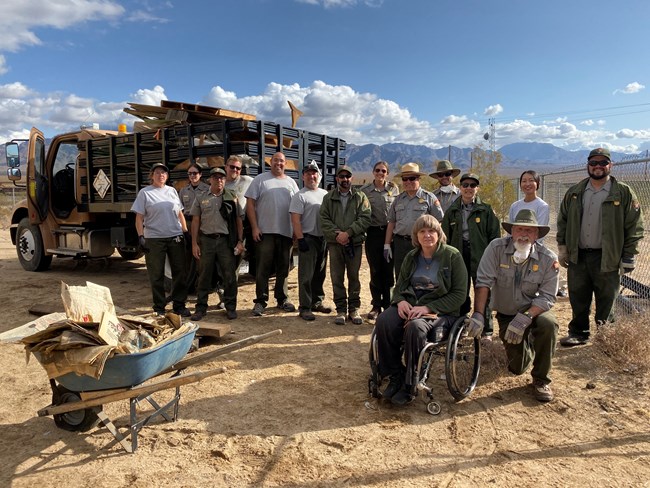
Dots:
{"x": 632, "y": 170}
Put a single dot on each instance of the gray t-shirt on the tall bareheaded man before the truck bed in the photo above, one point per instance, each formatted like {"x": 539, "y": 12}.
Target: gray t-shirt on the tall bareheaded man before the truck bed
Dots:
{"x": 272, "y": 199}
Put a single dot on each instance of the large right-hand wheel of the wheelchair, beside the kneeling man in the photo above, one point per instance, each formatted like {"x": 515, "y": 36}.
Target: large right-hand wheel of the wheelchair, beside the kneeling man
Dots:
{"x": 462, "y": 362}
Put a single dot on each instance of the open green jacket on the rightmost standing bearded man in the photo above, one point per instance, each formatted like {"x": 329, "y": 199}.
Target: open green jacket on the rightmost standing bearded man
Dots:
{"x": 622, "y": 223}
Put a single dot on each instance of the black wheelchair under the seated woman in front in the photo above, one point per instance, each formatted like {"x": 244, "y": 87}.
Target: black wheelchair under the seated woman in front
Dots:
{"x": 462, "y": 363}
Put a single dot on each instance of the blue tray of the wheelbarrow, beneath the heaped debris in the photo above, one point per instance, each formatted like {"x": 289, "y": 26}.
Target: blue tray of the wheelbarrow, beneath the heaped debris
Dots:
{"x": 127, "y": 370}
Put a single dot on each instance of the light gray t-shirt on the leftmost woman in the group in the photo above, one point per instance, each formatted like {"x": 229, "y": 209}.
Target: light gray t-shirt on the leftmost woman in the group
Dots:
{"x": 160, "y": 208}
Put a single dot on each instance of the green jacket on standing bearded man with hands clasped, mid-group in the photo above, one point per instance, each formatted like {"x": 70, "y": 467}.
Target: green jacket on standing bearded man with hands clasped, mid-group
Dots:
{"x": 355, "y": 220}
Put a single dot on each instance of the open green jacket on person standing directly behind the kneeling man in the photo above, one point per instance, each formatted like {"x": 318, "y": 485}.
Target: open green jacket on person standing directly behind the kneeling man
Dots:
{"x": 483, "y": 226}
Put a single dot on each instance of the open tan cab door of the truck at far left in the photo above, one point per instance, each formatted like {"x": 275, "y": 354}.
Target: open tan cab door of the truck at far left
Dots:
{"x": 38, "y": 183}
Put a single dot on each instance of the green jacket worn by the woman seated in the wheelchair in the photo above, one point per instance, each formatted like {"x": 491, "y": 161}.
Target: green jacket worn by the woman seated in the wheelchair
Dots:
{"x": 452, "y": 280}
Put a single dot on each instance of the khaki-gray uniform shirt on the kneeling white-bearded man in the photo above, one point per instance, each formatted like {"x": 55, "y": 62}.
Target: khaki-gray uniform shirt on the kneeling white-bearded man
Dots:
{"x": 516, "y": 287}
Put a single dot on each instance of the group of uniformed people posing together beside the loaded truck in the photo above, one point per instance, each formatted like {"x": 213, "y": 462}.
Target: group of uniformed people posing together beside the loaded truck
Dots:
{"x": 424, "y": 251}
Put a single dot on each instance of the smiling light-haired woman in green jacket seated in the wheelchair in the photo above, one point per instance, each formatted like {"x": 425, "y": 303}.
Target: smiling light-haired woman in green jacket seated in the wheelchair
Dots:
{"x": 430, "y": 290}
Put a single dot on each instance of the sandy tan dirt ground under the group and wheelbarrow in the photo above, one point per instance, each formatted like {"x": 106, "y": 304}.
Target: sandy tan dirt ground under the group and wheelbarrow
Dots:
{"x": 294, "y": 411}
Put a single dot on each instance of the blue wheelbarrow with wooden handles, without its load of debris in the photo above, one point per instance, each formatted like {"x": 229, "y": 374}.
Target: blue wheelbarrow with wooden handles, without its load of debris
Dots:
{"x": 77, "y": 401}
